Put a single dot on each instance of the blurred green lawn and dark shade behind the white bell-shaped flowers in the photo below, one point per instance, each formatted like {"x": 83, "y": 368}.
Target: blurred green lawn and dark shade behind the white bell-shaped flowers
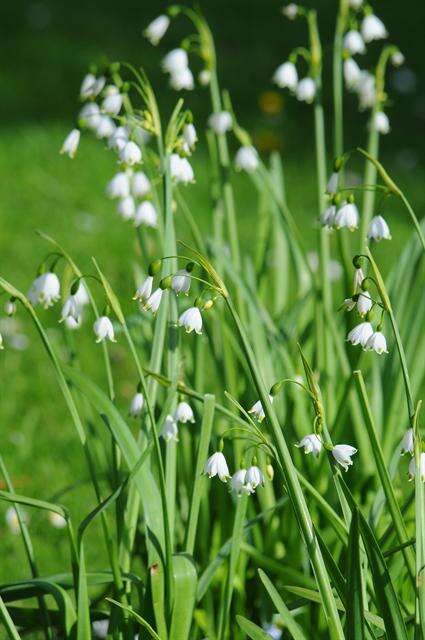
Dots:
{"x": 47, "y": 48}
